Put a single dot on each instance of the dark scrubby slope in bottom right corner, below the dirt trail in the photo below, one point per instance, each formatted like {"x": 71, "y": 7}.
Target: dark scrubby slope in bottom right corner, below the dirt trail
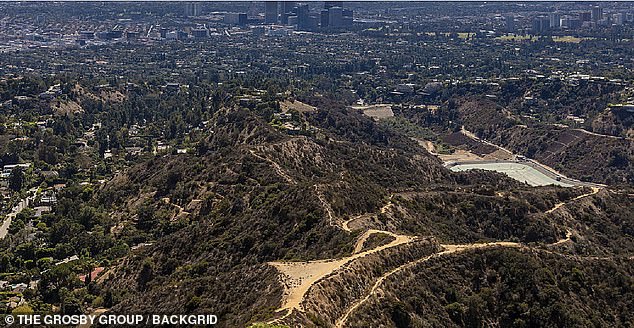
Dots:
{"x": 505, "y": 287}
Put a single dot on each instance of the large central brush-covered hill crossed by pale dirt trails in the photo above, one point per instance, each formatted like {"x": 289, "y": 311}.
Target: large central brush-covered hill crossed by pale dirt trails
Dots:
{"x": 215, "y": 231}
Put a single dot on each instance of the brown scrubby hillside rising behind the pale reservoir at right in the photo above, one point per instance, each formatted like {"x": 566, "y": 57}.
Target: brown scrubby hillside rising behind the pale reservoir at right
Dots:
{"x": 574, "y": 152}
